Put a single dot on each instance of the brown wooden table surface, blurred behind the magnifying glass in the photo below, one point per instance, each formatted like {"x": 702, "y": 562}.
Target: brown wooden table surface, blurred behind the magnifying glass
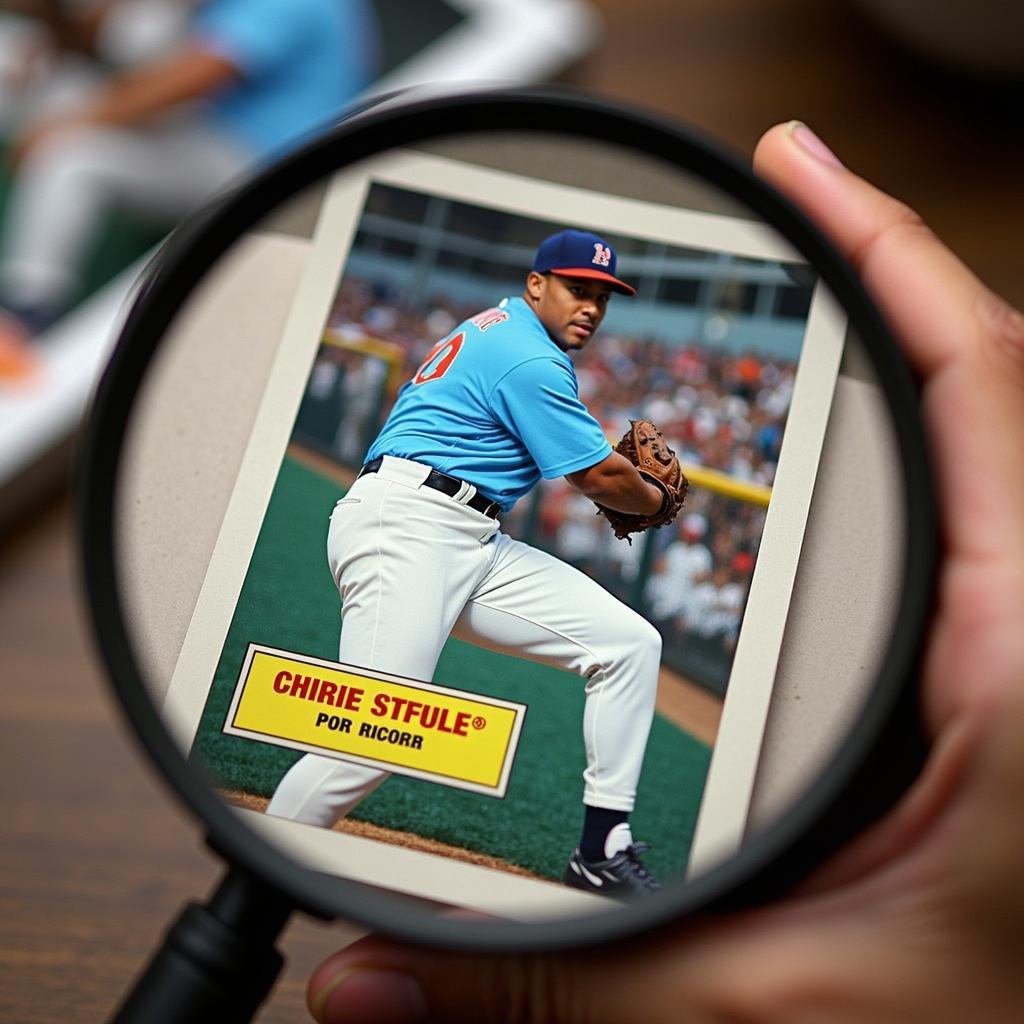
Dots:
{"x": 96, "y": 858}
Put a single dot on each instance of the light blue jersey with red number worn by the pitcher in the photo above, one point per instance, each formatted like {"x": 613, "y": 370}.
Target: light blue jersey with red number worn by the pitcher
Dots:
{"x": 496, "y": 404}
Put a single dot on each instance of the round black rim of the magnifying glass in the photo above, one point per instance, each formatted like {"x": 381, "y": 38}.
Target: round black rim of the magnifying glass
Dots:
{"x": 784, "y": 852}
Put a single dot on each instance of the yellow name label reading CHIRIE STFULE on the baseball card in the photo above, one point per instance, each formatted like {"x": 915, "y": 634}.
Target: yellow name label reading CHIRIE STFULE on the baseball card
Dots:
{"x": 461, "y": 740}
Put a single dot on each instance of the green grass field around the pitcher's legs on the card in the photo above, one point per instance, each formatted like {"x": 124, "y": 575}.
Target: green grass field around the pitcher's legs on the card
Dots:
{"x": 289, "y": 602}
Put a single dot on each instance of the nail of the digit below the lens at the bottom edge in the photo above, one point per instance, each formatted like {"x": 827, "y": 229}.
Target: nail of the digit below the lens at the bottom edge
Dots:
{"x": 366, "y": 996}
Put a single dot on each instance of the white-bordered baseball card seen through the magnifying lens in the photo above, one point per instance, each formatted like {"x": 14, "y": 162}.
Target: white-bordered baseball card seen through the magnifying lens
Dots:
{"x": 495, "y": 611}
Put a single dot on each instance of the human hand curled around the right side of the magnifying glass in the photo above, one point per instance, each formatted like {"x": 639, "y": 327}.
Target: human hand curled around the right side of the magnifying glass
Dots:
{"x": 923, "y": 918}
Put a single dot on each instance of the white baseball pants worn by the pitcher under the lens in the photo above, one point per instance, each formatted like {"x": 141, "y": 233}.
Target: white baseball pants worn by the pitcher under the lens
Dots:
{"x": 414, "y": 567}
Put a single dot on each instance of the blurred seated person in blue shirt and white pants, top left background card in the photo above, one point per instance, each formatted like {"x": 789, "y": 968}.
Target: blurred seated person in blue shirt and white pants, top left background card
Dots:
{"x": 248, "y": 80}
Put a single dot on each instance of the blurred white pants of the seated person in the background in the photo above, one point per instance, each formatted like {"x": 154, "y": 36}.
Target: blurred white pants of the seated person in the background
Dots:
{"x": 69, "y": 182}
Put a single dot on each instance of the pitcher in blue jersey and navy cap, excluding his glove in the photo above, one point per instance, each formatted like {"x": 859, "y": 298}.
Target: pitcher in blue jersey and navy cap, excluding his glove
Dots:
{"x": 417, "y": 551}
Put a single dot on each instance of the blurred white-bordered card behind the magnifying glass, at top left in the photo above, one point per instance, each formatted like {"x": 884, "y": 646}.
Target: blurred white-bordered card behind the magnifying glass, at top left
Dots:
{"x": 177, "y": 84}
